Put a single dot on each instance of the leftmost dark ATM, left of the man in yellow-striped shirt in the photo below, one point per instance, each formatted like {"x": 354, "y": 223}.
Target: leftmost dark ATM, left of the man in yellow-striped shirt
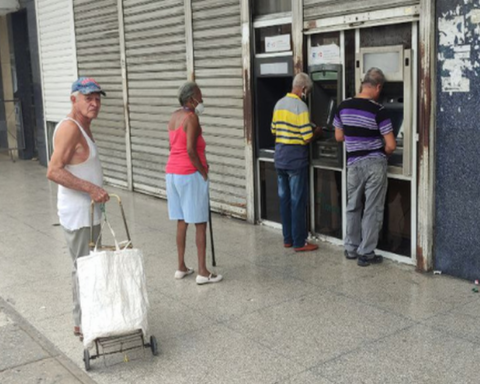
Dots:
{"x": 273, "y": 79}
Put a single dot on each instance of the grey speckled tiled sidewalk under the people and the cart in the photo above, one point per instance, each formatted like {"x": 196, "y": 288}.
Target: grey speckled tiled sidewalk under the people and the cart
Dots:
{"x": 278, "y": 317}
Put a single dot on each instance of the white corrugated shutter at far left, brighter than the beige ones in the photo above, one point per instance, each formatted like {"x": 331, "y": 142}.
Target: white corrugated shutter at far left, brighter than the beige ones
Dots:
{"x": 57, "y": 53}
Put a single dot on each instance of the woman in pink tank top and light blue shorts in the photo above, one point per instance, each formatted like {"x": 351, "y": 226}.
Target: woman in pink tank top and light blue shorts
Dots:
{"x": 187, "y": 180}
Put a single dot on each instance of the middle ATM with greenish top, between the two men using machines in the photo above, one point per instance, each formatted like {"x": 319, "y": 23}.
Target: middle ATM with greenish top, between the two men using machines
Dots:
{"x": 326, "y": 153}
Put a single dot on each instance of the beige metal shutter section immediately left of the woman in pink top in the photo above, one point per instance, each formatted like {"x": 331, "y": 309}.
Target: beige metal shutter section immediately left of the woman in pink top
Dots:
{"x": 156, "y": 67}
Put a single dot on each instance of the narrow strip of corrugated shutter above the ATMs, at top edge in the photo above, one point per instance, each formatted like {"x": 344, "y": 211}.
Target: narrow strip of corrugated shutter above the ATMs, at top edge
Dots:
{"x": 320, "y": 9}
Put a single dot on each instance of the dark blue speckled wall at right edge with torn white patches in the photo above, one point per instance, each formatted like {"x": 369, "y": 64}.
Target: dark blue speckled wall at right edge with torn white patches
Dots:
{"x": 457, "y": 238}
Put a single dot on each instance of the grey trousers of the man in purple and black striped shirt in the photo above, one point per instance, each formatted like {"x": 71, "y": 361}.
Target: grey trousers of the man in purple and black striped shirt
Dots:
{"x": 366, "y": 181}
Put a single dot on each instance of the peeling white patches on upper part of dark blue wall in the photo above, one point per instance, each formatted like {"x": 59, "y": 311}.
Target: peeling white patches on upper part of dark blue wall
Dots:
{"x": 459, "y": 36}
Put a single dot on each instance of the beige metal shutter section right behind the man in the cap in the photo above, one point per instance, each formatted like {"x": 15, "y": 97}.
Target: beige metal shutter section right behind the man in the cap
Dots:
{"x": 98, "y": 56}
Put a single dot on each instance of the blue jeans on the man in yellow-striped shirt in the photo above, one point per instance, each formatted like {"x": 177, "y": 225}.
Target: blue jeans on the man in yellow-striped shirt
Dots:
{"x": 293, "y": 192}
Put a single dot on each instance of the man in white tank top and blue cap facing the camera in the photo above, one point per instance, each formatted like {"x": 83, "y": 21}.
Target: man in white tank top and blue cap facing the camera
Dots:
{"x": 75, "y": 167}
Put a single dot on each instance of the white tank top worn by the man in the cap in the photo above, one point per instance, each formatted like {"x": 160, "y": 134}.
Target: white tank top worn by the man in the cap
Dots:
{"x": 74, "y": 209}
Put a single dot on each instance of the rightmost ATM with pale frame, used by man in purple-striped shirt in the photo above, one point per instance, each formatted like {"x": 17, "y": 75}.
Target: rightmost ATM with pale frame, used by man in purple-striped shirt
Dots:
{"x": 397, "y": 96}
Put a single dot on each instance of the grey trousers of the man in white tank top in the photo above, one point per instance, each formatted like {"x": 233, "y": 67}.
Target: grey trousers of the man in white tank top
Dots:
{"x": 78, "y": 245}
